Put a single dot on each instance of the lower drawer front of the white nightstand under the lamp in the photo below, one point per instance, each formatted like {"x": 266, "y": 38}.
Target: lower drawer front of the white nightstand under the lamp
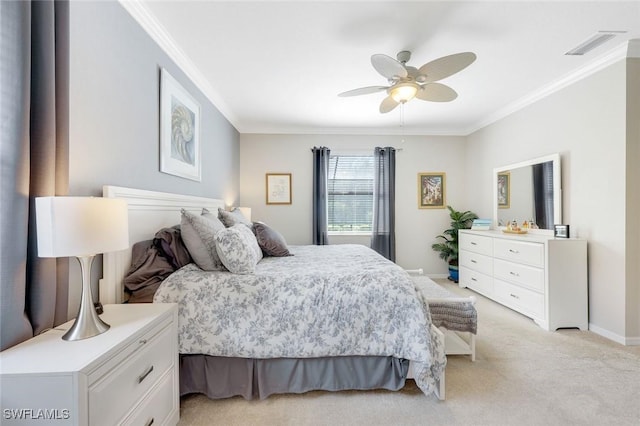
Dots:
{"x": 156, "y": 408}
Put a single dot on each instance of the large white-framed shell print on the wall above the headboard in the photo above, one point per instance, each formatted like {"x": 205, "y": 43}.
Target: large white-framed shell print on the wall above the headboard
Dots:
{"x": 179, "y": 130}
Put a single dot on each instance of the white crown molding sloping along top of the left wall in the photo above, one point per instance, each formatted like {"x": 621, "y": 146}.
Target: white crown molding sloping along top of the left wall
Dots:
{"x": 161, "y": 36}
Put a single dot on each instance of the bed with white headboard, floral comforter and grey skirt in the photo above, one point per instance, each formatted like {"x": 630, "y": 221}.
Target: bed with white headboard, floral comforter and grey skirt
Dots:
{"x": 400, "y": 339}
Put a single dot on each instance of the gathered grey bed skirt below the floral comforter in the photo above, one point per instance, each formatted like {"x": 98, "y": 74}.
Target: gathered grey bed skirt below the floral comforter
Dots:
{"x": 220, "y": 377}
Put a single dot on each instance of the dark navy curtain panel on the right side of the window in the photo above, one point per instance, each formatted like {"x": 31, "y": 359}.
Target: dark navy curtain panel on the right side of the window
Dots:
{"x": 383, "y": 238}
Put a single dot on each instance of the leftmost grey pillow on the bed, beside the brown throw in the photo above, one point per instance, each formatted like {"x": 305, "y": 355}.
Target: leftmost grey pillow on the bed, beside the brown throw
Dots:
{"x": 198, "y": 234}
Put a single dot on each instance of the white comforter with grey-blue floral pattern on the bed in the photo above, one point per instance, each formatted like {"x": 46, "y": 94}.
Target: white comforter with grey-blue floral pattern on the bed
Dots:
{"x": 333, "y": 300}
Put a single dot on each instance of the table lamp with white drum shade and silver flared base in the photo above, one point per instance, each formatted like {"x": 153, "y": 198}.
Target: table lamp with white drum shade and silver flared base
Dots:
{"x": 82, "y": 227}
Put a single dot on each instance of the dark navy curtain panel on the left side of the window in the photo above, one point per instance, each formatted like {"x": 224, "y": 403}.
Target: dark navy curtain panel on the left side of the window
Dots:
{"x": 320, "y": 183}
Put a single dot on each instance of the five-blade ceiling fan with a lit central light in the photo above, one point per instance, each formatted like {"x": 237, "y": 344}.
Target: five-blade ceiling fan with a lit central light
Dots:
{"x": 407, "y": 82}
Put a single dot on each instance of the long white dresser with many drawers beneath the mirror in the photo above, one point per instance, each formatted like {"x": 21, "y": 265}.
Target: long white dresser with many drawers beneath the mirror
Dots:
{"x": 542, "y": 277}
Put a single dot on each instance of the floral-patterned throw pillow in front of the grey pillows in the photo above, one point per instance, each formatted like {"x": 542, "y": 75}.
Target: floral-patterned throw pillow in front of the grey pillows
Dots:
{"x": 238, "y": 249}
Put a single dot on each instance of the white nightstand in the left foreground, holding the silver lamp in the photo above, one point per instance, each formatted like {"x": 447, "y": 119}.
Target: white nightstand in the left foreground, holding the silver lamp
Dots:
{"x": 127, "y": 375}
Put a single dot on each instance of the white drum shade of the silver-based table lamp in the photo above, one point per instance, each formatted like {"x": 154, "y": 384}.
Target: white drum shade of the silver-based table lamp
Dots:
{"x": 81, "y": 226}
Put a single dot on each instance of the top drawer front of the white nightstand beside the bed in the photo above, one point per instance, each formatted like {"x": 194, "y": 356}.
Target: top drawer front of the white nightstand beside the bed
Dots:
{"x": 111, "y": 397}
